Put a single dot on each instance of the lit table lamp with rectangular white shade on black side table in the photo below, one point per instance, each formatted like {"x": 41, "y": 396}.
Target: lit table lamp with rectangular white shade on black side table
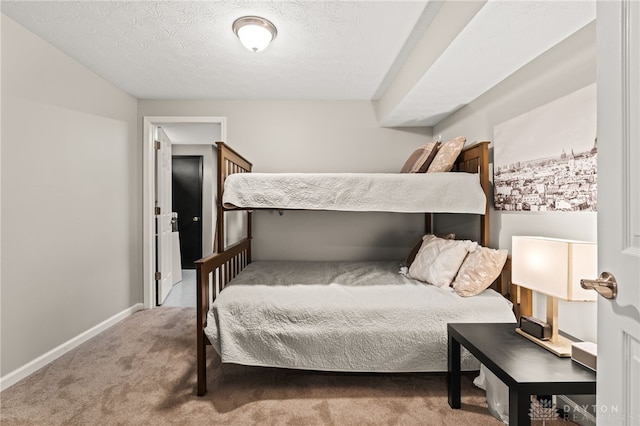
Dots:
{"x": 553, "y": 267}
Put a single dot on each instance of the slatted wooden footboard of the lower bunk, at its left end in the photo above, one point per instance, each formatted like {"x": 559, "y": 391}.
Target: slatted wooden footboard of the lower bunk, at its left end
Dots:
{"x": 213, "y": 274}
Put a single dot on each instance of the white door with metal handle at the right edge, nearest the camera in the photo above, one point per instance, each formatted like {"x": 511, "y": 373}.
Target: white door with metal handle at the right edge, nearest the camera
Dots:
{"x": 618, "y": 35}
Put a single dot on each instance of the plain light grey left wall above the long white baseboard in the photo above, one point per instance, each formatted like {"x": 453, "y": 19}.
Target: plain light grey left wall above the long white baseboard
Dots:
{"x": 71, "y": 205}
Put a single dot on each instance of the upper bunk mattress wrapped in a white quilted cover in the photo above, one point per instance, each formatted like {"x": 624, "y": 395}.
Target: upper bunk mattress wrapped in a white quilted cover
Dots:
{"x": 453, "y": 192}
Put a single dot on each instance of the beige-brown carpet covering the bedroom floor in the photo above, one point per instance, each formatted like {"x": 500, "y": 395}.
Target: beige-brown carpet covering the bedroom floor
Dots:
{"x": 142, "y": 372}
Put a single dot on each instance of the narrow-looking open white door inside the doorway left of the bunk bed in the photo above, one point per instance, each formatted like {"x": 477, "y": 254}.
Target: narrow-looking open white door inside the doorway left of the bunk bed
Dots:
{"x": 163, "y": 216}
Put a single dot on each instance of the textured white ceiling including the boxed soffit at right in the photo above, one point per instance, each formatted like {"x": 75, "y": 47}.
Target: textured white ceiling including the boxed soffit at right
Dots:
{"x": 325, "y": 50}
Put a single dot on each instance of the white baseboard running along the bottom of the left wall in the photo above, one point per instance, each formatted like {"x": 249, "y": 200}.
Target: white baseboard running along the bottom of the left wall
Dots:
{"x": 33, "y": 366}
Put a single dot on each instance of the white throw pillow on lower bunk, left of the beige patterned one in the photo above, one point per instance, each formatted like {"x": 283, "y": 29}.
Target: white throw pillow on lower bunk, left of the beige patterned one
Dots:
{"x": 438, "y": 260}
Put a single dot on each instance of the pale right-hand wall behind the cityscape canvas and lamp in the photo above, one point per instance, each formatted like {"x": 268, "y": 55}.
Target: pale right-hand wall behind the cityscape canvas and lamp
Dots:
{"x": 564, "y": 69}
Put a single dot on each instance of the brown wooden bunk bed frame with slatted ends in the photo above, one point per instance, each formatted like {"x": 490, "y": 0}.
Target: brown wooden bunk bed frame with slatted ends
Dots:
{"x": 216, "y": 270}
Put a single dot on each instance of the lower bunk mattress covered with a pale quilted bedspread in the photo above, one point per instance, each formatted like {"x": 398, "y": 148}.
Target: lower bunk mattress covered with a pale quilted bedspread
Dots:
{"x": 342, "y": 316}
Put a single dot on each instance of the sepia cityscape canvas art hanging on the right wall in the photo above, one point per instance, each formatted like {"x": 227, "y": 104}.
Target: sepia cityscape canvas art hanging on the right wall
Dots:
{"x": 545, "y": 159}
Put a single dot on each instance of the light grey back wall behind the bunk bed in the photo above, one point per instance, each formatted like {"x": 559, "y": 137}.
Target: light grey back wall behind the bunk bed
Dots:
{"x": 322, "y": 136}
